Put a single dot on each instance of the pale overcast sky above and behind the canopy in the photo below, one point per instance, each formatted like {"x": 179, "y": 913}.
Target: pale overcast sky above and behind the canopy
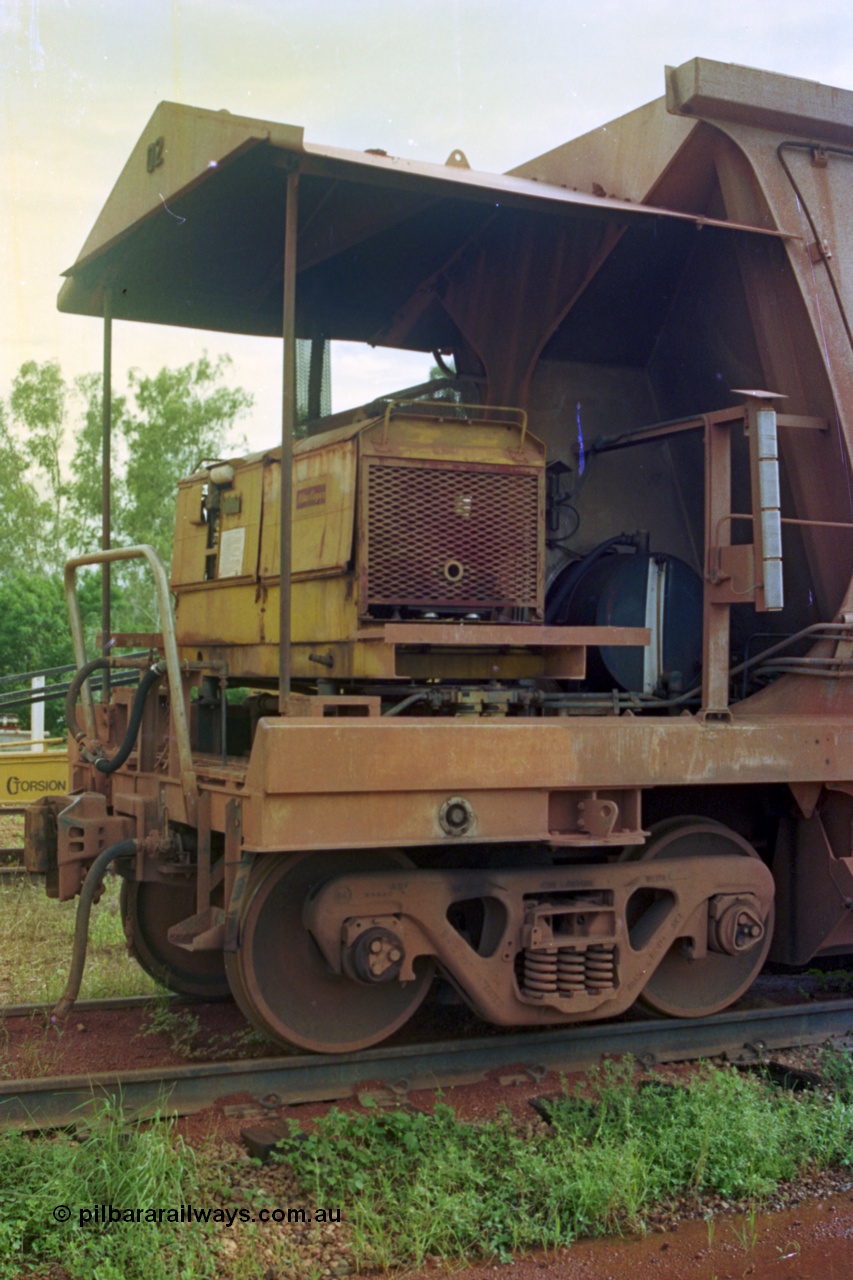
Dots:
{"x": 504, "y": 80}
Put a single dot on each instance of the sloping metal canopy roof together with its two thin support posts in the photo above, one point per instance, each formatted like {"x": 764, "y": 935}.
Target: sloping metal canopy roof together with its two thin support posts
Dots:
{"x": 211, "y": 207}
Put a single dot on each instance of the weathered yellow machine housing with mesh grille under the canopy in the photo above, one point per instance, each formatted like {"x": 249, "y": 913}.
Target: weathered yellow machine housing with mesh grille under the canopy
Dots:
{"x": 426, "y": 513}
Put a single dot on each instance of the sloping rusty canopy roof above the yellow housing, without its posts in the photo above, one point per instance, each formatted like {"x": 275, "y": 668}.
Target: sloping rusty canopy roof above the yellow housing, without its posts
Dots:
{"x": 390, "y": 252}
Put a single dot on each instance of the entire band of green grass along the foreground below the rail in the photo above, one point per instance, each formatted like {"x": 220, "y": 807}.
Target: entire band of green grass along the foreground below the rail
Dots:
{"x": 410, "y": 1186}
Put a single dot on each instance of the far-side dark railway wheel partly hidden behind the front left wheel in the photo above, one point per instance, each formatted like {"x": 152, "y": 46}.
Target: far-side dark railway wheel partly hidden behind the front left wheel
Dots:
{"x": 149, "y": 911}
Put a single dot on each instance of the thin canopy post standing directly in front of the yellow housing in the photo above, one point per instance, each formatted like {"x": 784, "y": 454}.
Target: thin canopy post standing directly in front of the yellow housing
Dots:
{"x": 289, "y": 423}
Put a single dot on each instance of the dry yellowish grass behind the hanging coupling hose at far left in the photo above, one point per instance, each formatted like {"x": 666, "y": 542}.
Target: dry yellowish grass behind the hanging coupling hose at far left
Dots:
{"x": 37, "y": 936}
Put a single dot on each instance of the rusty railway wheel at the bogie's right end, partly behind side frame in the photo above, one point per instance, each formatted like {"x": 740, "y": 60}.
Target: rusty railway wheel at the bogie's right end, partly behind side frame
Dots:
{"x": 682, "y": 988}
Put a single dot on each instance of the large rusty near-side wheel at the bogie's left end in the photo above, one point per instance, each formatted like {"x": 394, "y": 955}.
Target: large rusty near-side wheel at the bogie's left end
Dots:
{"x": 280, "y": 979}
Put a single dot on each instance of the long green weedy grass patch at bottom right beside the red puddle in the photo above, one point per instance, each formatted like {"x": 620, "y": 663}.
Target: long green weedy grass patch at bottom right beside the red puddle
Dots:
{"x": 421, "y": 1185}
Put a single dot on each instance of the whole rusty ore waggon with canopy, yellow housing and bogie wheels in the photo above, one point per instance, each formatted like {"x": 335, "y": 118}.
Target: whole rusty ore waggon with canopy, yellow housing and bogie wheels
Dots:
{"x": 536, "y": 679}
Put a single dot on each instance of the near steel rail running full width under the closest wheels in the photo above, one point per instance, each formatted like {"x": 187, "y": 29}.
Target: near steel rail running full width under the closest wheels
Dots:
{"x": 741, "y": 1036}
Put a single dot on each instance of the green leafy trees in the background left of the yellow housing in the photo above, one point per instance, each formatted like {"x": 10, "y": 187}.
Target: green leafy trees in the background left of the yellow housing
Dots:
{"x": 51, "y": 488}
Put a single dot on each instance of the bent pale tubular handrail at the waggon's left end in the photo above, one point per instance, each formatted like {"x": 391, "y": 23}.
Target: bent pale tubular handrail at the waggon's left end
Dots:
{"x": 170, "y": 648}
